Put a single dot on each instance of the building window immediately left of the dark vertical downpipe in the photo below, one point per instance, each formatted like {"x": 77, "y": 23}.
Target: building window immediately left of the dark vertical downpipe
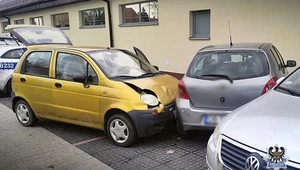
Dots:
{"x": 93, "y": 17}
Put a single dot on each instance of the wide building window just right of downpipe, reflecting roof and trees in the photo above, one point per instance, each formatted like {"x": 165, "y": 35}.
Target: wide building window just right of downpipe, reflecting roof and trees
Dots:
{"x": 140, "y": 13}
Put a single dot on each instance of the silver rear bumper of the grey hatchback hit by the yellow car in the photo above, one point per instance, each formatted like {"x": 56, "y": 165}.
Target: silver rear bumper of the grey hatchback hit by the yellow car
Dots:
{"x": 191, "y": 118}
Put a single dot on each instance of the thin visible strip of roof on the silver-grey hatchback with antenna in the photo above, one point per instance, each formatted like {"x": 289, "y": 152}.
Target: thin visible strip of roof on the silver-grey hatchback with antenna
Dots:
{"x": 247, "y": 45}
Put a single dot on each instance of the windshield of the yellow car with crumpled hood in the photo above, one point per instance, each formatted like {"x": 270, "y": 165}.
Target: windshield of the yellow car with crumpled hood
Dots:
{"x": 119, "y": 63}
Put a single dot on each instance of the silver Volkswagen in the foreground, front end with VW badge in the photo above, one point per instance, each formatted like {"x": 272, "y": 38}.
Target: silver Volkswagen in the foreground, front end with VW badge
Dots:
{"x": 261, "y": 134}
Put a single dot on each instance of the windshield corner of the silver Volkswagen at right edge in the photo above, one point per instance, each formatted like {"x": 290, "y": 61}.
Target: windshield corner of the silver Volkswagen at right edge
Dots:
{"x": 291, "y": 84}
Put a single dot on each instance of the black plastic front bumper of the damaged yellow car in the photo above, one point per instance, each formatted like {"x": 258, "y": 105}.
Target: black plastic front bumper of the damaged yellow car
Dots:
{"x": 148, "y": 124}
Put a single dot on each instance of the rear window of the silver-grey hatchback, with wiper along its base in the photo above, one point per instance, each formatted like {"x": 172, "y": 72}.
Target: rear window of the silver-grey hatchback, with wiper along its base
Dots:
{"x": 235, "y": 64}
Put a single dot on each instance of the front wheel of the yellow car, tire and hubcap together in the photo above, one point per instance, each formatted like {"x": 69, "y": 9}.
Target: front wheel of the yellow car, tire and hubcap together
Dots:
{"x": 121, "y": 130}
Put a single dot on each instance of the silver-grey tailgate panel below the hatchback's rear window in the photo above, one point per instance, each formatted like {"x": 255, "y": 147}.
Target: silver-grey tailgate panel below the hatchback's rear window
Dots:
{"x": 222, "y": 94}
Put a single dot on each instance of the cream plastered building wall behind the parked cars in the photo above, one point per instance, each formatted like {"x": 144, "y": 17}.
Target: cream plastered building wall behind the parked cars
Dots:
{"x": 168, "y": 45}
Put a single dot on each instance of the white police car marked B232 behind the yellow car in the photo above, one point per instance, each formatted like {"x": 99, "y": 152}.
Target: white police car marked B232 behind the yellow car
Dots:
{"x": 9, "y": 57}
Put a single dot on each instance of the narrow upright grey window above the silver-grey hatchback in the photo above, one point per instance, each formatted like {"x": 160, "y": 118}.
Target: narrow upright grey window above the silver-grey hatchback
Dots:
{"x": 201, "y": 24}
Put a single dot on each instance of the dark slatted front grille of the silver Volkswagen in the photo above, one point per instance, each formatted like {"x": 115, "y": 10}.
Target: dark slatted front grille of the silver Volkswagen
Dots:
{"x": 234, "y": 157}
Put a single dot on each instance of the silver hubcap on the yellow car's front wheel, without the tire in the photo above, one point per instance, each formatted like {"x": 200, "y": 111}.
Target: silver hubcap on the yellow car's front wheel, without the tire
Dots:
{"x": 119, "y": 131}
